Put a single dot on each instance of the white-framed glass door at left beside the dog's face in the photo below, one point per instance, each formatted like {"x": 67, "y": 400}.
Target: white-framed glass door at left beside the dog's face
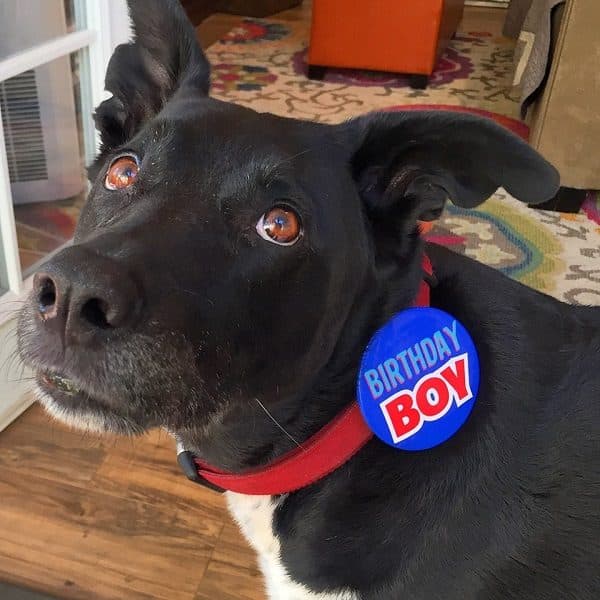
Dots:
{"x": 53, "y": 55}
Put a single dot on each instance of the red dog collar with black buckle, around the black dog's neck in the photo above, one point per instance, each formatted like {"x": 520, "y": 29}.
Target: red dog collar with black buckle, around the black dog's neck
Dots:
{"x": 316, "y": 458}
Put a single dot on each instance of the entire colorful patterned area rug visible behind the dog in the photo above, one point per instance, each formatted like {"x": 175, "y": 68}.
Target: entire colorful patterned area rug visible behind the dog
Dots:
{"x": 262, "y": 64}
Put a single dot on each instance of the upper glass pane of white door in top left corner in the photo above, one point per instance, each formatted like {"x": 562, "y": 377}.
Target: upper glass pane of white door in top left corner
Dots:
{"x": 27, "y": 23}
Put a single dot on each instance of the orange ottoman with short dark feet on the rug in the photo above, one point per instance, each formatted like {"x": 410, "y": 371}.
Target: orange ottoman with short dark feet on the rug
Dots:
{"x": 404, "y": 36}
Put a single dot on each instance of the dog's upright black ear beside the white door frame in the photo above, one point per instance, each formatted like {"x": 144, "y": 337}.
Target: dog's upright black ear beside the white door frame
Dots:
{"x": 163, "y": 57}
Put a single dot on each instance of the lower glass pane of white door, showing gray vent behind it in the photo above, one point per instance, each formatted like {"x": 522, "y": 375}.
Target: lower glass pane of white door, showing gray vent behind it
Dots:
{"x": 44, "y": 130}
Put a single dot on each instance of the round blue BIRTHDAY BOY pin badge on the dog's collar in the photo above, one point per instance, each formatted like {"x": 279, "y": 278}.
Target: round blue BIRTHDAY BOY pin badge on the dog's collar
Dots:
{"x": 418, "y": 379}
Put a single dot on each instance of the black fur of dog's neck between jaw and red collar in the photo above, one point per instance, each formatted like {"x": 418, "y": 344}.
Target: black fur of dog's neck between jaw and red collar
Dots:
{"x": 254, "y": 434}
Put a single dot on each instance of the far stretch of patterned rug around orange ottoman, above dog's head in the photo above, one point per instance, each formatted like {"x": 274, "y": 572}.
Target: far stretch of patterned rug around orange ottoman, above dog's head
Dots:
{"x": 262, "y": 64}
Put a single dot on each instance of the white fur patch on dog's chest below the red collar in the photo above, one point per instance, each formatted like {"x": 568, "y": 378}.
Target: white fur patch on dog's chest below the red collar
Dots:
{"x": 254, "y": 515}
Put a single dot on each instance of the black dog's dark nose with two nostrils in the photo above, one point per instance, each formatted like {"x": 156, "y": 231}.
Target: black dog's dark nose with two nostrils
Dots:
{"x": 80, "y": 293}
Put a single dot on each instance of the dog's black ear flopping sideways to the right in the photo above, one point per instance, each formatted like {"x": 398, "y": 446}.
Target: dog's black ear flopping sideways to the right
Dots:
{"x": 407, "y": 164}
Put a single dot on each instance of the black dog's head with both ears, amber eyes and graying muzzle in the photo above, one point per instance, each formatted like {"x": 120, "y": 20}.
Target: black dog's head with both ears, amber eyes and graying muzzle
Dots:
{"x": 225, "y": 255}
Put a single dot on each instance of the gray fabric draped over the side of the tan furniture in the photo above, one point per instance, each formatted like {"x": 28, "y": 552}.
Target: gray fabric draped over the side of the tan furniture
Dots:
{"x": 532, "y": 54}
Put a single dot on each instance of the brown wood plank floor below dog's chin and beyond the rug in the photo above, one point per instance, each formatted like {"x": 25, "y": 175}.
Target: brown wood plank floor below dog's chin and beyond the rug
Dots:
{"x": 115, "y": 519}
